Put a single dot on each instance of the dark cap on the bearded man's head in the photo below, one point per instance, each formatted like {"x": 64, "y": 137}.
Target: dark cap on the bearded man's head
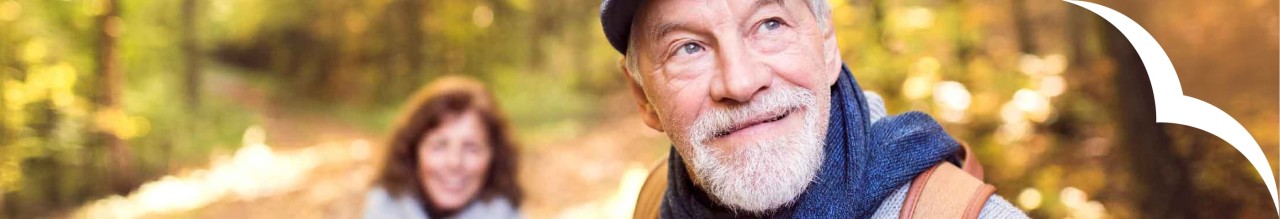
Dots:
{"x": 616, "y": 19}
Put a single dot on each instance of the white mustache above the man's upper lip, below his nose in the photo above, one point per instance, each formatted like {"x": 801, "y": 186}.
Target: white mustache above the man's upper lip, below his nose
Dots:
{"x": 767, "y": 107}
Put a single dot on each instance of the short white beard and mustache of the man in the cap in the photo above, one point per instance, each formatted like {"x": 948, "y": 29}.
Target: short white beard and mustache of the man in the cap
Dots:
{"x": 762, "y": 176}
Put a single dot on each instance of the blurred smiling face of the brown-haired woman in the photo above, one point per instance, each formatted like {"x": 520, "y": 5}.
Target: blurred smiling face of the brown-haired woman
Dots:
{"x": 454, "y": 159}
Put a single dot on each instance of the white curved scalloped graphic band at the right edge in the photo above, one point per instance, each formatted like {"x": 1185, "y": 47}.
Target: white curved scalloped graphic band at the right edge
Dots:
{"x": 1176, "y": 108}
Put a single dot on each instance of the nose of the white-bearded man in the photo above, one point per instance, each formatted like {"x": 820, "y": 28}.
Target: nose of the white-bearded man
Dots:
{"x": 742, "y": 76}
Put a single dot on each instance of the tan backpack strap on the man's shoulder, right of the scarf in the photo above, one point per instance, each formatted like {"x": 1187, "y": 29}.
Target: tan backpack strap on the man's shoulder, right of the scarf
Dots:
{"x": 948, "y": 191}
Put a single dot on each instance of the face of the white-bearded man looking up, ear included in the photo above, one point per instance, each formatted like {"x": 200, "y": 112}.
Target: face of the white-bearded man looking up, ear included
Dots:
{"x": 743, "y": 90}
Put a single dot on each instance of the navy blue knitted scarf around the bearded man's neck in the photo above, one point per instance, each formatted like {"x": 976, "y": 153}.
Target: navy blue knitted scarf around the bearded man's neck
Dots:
{"x": 863, "y": 163}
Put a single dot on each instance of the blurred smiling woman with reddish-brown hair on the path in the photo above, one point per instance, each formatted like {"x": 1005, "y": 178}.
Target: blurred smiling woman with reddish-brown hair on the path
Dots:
{"x": 451, "y": 157}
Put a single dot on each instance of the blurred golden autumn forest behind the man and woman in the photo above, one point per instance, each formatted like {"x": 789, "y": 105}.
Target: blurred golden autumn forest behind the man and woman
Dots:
{"x": 280, "y": 108}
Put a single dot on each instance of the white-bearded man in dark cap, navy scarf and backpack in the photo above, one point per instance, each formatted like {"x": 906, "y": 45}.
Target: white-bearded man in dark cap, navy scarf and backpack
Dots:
{"x": 766, "y": 121}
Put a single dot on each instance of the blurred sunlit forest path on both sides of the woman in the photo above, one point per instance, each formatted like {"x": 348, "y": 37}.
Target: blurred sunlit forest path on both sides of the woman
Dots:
{"x": 310, "y": 166}
